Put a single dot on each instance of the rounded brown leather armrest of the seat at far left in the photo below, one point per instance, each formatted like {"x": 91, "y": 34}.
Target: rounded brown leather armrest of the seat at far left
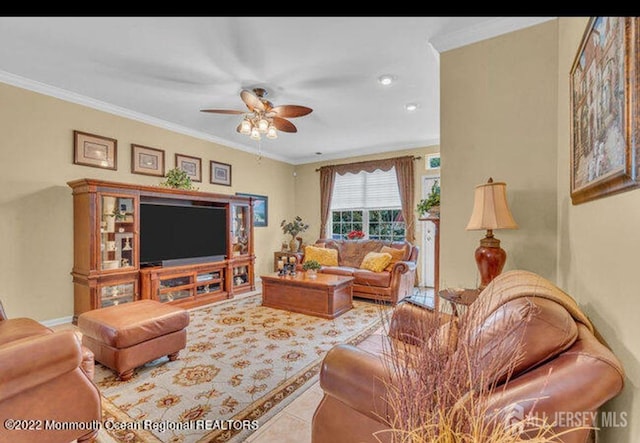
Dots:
{"x": 32, "y": 361}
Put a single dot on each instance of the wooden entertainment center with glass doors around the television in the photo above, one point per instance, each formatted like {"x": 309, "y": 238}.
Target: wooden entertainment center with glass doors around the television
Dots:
{"x": 106, "y": 258}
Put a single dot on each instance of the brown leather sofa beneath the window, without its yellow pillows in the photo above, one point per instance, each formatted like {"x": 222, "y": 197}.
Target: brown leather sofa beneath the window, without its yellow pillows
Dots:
{"x": 391, "y": 286}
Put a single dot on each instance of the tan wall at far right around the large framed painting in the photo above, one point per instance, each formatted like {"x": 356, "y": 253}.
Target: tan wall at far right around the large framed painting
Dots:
{"x": 598, "y": 253}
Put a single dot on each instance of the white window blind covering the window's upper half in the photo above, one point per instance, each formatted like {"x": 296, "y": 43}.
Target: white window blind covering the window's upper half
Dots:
{"x": 366, "y": 190}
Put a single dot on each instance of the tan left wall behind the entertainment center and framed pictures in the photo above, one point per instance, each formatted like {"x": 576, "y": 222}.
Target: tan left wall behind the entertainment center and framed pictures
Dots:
{"x": 36, "y": 206}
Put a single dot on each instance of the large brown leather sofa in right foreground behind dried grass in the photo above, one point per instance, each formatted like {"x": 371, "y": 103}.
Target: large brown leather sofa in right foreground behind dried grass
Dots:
{"x": 565, "y": 371}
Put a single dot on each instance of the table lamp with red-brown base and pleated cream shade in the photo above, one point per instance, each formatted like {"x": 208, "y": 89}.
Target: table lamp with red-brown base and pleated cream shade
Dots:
{"x": 490, "y": 211}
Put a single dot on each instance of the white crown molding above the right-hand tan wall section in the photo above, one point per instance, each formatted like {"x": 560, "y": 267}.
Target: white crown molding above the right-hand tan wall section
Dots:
{"x": 483, "y": 31}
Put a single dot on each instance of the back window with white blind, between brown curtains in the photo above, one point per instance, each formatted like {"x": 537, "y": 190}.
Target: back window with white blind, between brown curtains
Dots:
{"x": 367, "y": 202}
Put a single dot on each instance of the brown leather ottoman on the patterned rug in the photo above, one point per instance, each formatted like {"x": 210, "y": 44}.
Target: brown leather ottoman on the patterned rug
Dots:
{"x": 126, "y": 336}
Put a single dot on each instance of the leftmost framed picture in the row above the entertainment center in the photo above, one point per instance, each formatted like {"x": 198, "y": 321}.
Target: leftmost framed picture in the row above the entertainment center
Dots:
{"x": 95, "y": 150}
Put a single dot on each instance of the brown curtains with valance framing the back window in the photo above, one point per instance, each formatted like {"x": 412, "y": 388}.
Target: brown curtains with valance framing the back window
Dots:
{"x": 404, "y": 174}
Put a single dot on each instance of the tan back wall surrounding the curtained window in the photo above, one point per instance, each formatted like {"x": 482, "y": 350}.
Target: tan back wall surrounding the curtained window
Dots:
{"x": 308, "y": 186}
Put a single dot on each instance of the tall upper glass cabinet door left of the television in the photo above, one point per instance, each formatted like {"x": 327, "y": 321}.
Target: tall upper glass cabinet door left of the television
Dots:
{"x": 117, "y": 241}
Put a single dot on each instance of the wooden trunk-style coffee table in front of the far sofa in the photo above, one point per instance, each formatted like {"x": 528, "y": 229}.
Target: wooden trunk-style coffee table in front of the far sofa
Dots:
{"x": 326, "y": 295}
